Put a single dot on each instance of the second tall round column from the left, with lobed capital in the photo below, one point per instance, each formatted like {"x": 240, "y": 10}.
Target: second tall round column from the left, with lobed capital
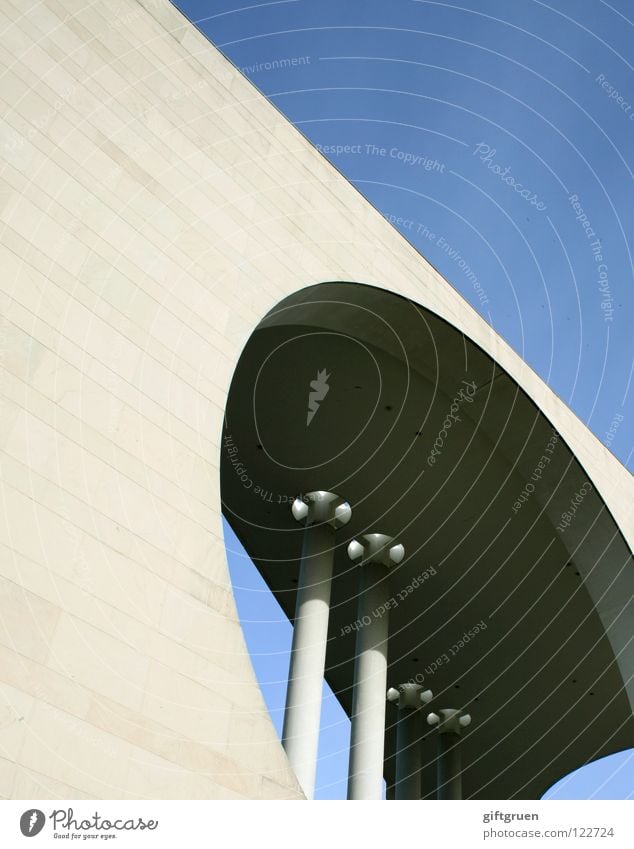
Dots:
{"x": 376, "y": 553}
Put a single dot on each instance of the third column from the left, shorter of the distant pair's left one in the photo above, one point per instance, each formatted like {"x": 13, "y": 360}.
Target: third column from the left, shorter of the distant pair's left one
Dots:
{"x": 409, "y": 698}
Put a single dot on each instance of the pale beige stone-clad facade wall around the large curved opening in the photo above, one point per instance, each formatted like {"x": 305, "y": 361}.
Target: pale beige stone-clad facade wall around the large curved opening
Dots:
{"x": 153, "y": 207}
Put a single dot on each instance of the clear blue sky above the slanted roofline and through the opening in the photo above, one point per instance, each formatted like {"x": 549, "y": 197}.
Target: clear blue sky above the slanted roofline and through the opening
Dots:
{"x": 497, "y": 136}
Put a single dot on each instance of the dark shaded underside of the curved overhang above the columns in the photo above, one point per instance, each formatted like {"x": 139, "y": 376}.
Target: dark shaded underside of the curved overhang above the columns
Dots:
{"x": 507, "y": 536}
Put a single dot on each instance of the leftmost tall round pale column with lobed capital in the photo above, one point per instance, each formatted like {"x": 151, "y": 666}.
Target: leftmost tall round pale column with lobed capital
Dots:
{"x": 321, "y": 512}
